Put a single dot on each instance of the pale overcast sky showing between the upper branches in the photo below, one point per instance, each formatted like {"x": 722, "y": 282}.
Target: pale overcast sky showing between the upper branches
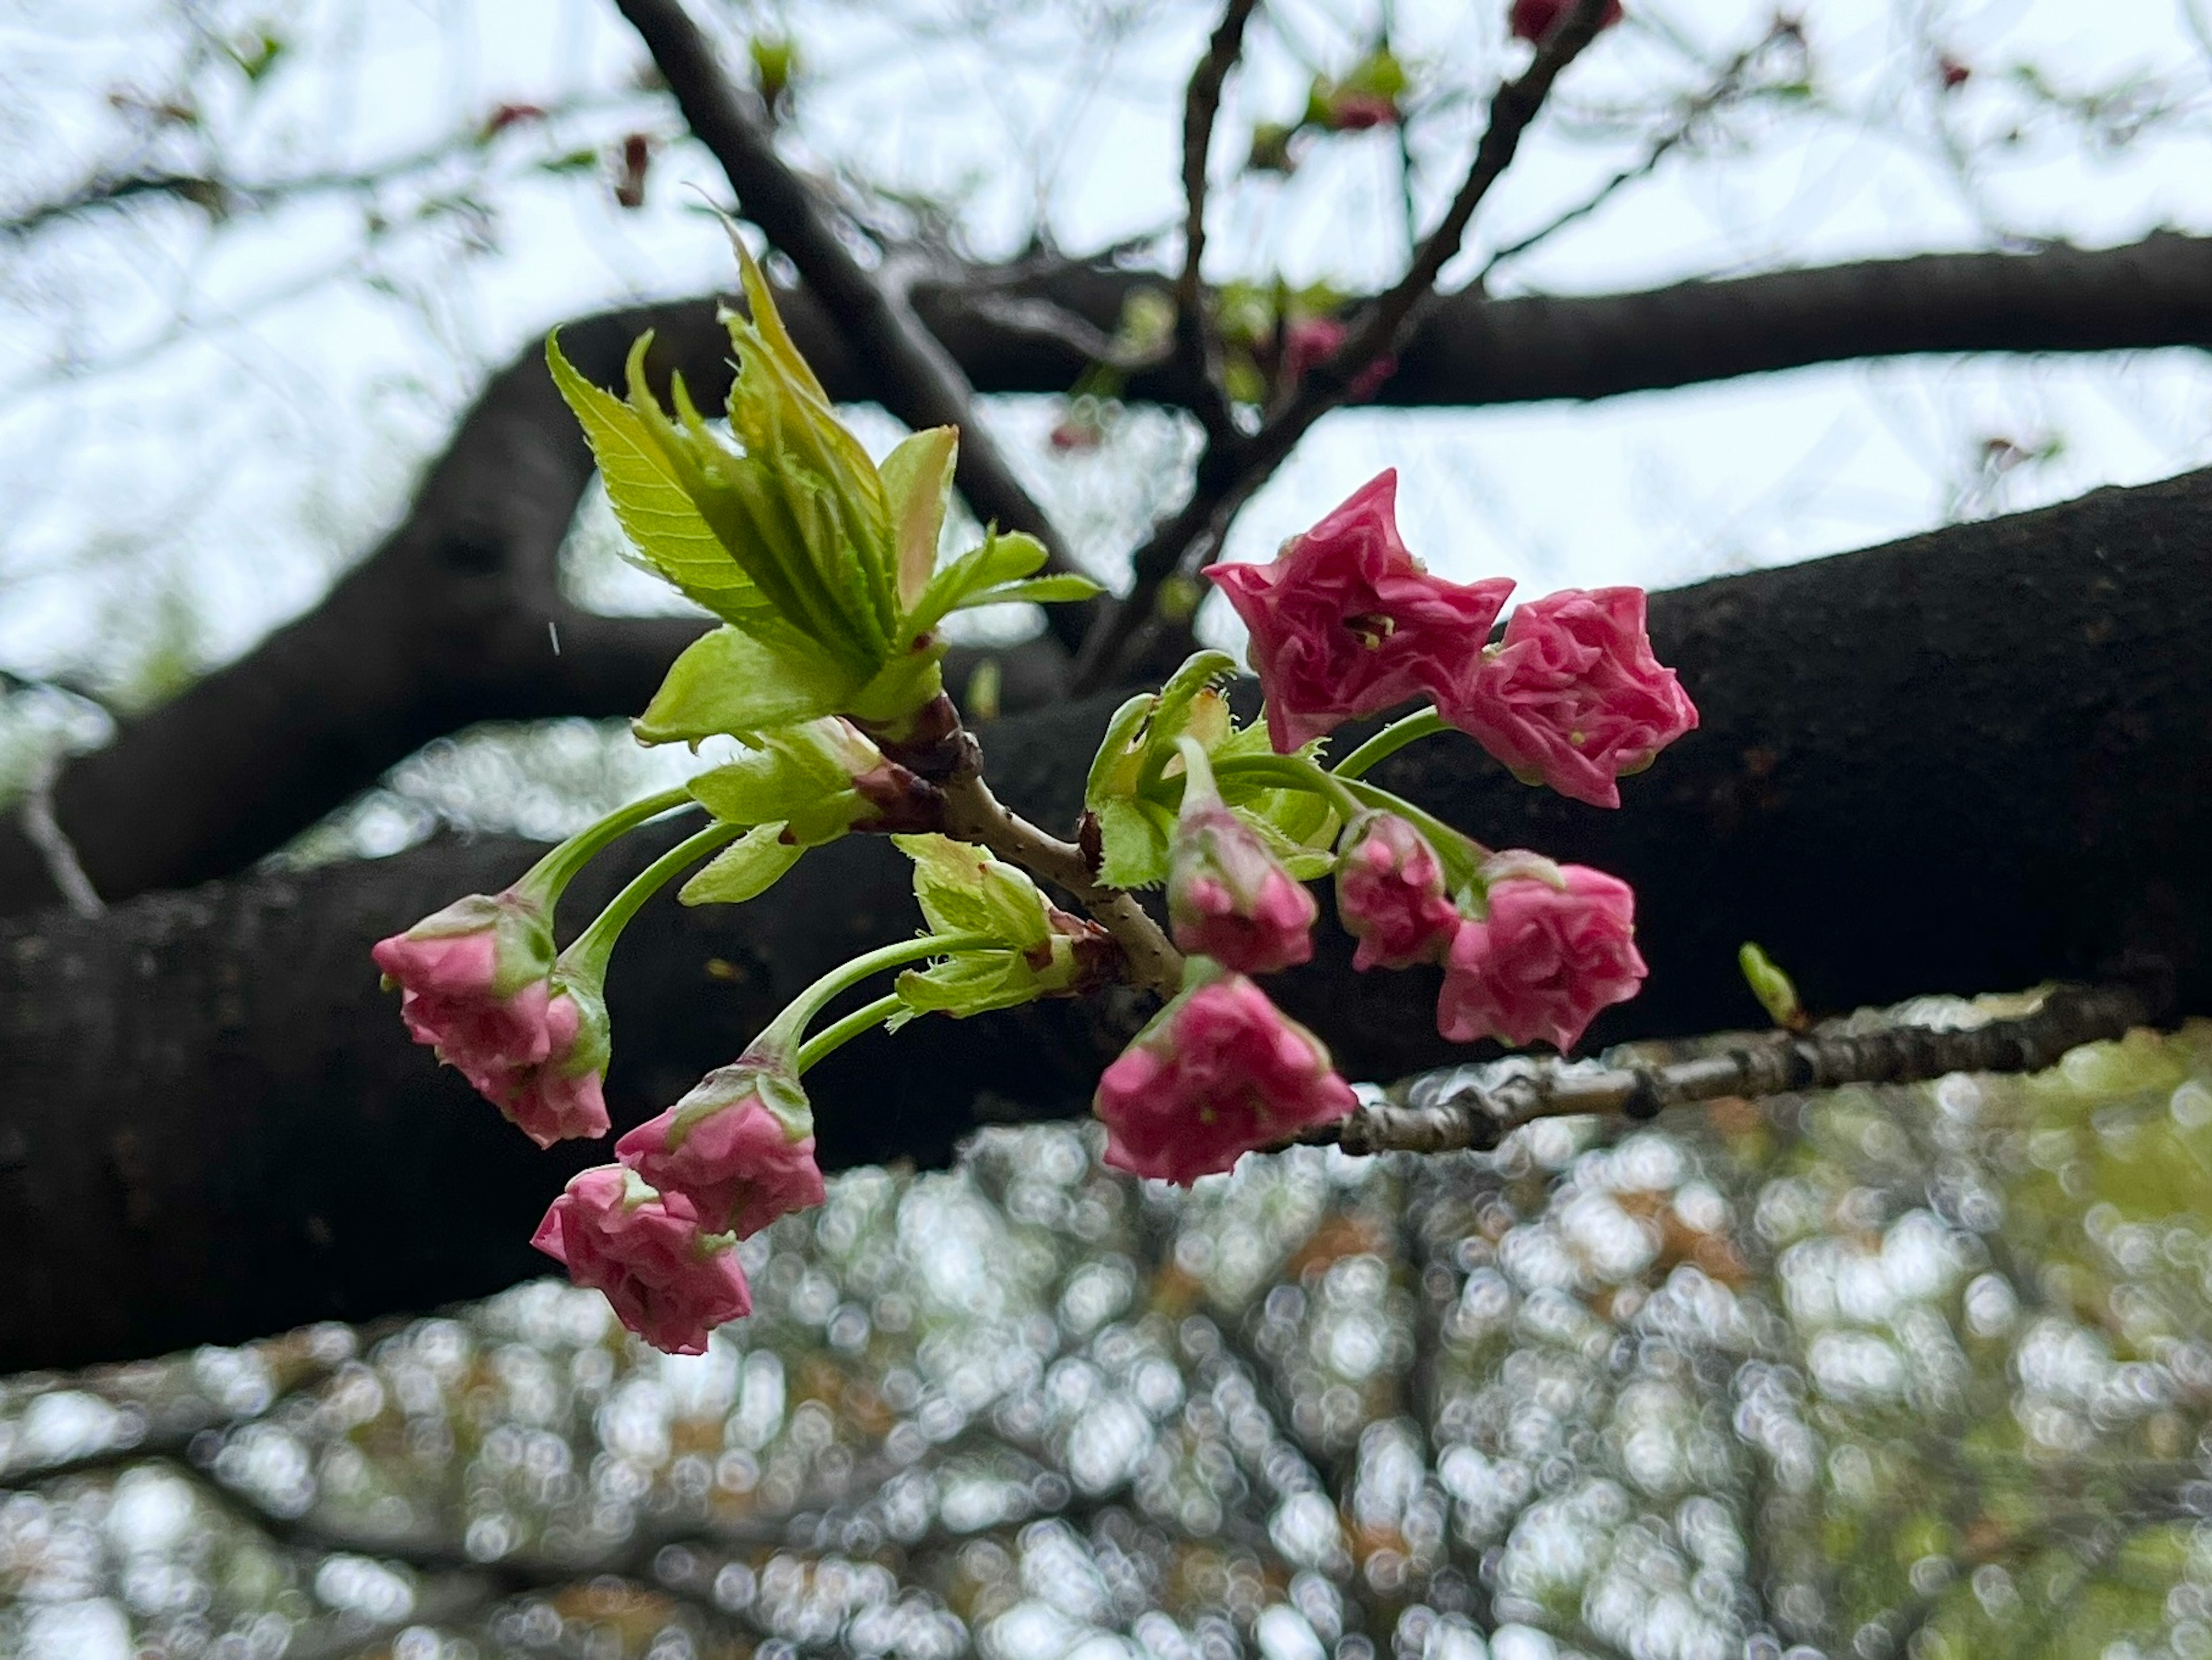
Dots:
{"x": 205, "y": 422}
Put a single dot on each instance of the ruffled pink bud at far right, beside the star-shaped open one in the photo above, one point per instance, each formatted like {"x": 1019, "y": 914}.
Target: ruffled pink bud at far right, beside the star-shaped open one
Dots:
{"x": 1574, "y": 696}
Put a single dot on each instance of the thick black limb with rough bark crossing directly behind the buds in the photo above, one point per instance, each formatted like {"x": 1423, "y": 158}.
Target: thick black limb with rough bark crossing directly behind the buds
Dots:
{"x": 1968, "y": 760}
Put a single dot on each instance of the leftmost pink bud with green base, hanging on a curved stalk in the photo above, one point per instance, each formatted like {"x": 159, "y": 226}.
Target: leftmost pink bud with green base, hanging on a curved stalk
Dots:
{"x": 472, "y": 982}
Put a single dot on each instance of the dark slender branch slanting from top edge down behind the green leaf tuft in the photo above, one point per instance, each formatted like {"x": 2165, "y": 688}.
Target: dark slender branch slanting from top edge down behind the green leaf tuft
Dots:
{"x": 921, "y": 382}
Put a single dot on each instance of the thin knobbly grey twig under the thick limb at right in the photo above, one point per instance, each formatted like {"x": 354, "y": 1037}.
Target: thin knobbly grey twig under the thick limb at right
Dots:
{"x": 1452, "y": 1110}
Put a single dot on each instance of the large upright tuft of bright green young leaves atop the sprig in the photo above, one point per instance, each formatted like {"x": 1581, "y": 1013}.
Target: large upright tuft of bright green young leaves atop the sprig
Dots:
{"x": 822, "y": 566}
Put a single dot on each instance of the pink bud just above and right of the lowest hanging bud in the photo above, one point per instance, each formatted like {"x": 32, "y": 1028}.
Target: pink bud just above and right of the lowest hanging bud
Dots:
{"x": 740, "y": 1148}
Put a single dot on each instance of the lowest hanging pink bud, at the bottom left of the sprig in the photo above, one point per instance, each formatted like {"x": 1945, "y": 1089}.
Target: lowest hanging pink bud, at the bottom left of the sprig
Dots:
{"x": 669, "y": 1280}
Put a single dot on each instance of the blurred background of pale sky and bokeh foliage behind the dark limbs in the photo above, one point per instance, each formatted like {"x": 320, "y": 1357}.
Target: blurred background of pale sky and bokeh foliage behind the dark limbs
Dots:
{"x": 1917, "y": 1371}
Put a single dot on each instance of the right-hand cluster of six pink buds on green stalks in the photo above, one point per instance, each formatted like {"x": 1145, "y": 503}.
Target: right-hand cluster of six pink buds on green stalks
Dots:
{"x": 1348, "y": 623}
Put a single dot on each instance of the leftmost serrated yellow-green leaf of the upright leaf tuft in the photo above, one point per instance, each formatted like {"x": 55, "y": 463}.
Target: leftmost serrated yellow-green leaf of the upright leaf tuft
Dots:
{"x": 649, "y": 497}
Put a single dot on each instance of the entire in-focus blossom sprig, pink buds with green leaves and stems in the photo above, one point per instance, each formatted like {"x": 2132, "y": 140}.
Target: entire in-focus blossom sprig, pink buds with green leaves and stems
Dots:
{"x": 828, "y": 672}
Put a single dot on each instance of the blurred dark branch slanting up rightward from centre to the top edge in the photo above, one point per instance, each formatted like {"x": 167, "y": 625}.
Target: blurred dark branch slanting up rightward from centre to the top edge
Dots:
{"x": 1231, "y": 473}
